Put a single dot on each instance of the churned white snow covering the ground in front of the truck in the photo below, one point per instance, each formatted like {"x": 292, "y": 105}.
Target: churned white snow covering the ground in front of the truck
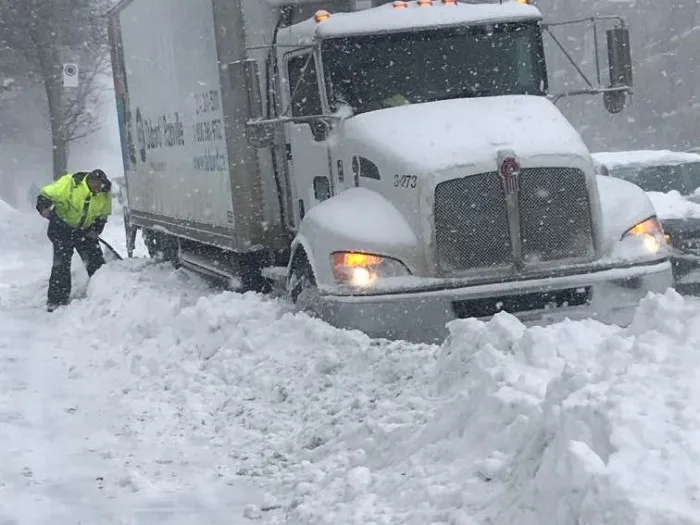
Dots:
{"x": 157, "y": 400}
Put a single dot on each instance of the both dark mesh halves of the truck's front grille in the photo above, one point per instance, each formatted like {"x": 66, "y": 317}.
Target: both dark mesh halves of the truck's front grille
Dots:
{"x": 471, "y": 219}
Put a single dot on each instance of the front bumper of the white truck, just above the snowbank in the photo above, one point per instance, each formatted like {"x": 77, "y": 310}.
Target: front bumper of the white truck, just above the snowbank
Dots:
{"x": 610, "y": 296}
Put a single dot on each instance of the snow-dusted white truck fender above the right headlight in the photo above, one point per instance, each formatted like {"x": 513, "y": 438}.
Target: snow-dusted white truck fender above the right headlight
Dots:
{"x": 623, "y": 205}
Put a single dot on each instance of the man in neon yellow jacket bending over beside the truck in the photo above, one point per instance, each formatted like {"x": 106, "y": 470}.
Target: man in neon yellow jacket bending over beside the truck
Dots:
{"x": 77, "y": 206}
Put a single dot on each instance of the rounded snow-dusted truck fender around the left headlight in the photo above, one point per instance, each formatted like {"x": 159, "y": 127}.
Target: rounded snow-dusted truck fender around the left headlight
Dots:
{"x": 357, "y": 219}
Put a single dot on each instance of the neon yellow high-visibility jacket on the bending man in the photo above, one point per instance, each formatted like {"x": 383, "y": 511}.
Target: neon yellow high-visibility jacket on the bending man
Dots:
{"x": 75, "y": 204}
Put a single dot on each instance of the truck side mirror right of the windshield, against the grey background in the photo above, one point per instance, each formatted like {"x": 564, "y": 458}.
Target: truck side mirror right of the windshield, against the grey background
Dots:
{"x": 620, "y": 68}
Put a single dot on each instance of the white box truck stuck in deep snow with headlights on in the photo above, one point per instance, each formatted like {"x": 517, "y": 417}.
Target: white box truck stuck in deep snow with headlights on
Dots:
{"x": 397, "y": 164}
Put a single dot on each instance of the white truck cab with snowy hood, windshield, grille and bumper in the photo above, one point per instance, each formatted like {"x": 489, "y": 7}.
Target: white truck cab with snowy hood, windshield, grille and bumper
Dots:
{"x": 433, "y": 176}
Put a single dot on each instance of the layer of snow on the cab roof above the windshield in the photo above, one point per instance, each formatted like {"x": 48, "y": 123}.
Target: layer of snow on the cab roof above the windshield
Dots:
{"x": 387, "y": 18}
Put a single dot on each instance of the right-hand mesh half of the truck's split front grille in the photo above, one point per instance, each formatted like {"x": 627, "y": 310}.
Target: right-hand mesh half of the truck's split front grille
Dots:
{"x": 555, "y": 215}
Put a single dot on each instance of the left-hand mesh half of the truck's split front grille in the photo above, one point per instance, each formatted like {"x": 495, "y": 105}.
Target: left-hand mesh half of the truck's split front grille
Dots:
{"x": 471, "y": 223}
